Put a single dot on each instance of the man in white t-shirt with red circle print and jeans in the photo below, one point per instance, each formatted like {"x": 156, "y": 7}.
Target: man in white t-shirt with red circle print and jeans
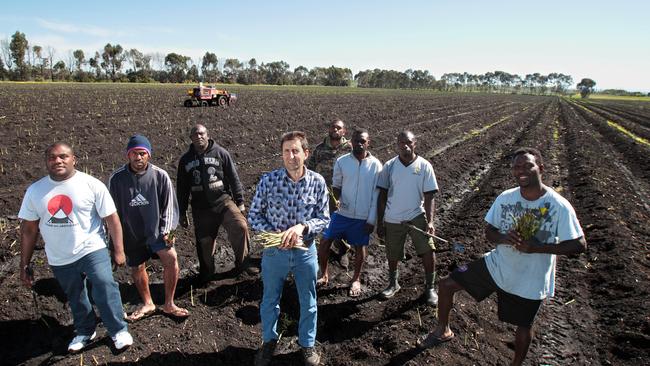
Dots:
{"x": 67, "y": 207}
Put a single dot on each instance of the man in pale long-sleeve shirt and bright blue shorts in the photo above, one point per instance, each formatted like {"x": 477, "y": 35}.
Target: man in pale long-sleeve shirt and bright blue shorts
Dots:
{"x": 354, "y": 184}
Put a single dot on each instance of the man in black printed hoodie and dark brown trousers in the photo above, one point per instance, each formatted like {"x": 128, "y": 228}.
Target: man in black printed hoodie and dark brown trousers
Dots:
{"x": 207, "y": 173}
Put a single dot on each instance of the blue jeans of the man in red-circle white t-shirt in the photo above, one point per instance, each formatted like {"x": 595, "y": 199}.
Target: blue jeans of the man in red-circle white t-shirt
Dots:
{"x": 94, "y": 267}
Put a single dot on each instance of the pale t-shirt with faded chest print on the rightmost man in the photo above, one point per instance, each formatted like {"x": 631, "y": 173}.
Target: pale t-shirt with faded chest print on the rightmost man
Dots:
{"x": 529, "y": 275}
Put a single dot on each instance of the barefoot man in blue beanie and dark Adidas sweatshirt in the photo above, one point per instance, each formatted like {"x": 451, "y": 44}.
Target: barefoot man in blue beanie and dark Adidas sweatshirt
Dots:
{"x": 146, "y": 203}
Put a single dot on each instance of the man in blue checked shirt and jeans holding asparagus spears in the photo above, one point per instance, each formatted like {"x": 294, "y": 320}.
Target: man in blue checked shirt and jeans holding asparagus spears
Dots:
{"x": 293, "y": 201}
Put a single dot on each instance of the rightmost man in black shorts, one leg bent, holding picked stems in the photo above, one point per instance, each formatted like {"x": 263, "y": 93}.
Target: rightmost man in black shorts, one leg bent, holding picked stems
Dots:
{"x": 521, "y": 271}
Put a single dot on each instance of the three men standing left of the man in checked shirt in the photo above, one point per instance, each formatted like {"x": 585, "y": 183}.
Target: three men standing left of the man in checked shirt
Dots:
{"x": 141, "y": 211}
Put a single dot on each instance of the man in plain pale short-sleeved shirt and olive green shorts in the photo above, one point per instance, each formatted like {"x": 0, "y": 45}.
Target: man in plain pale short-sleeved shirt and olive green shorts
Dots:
{"x": 406, "y": 185}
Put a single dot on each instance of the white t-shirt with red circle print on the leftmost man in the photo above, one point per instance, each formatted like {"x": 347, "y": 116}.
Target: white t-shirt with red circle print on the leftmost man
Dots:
{"x": 70, "y": 214}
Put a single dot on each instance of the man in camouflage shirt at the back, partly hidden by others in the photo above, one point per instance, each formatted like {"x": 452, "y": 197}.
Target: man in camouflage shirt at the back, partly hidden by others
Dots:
{"x": 322, "y": 160}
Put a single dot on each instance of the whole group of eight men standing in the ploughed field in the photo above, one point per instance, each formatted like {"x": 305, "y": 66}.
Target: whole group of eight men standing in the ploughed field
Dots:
{"x": 395, "y": 200}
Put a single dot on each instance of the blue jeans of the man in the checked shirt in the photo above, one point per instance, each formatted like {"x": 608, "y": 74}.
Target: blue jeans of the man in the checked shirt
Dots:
{"x": 276, "y": 265}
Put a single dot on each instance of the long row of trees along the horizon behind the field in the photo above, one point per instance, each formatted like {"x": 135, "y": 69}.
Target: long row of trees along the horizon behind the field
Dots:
{"x": 19, "y": 60}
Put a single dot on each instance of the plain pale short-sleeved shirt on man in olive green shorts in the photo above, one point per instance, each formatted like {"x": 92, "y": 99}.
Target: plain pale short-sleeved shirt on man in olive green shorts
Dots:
{"x": 406, "y": 186}
